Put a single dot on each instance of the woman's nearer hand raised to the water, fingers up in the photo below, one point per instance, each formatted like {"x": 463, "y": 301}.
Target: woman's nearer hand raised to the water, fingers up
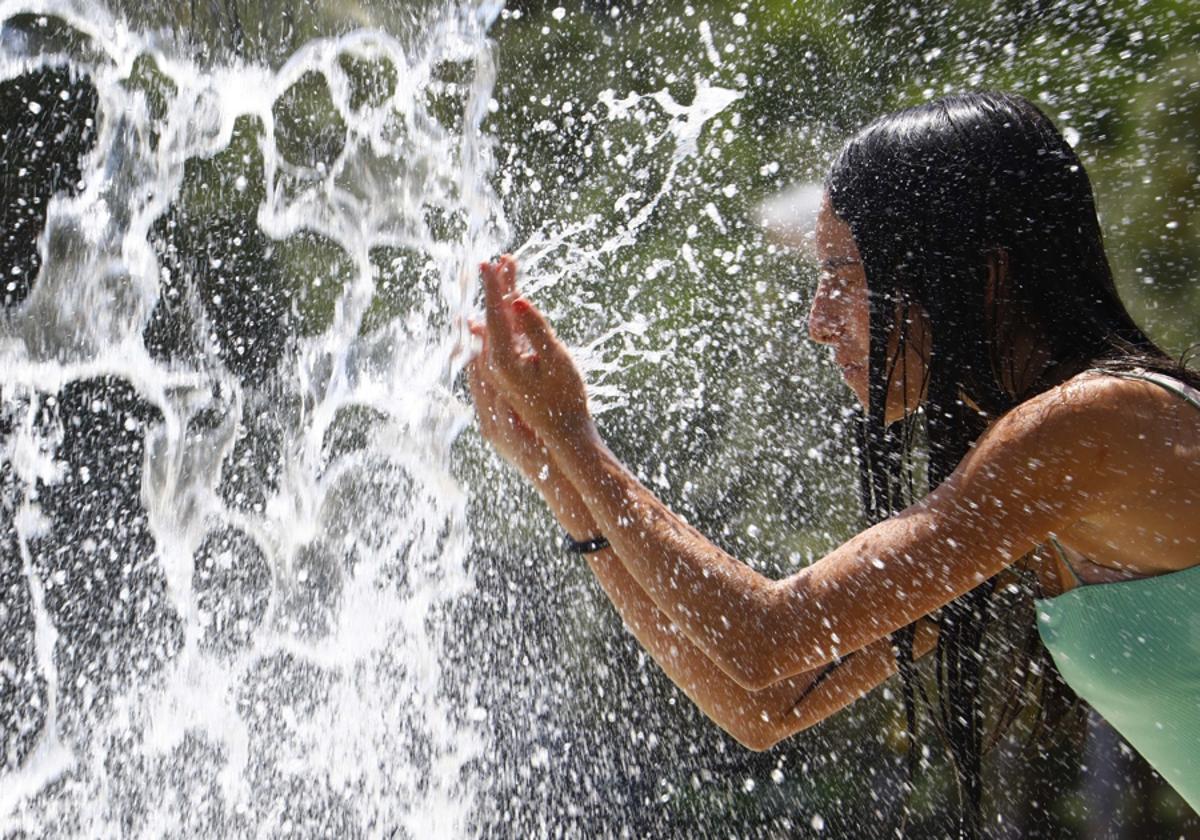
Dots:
{"x": 530, "y": 367}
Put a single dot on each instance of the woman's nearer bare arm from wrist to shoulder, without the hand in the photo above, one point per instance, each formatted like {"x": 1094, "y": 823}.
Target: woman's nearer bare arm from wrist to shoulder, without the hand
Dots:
{"x": 1039, "y": 470}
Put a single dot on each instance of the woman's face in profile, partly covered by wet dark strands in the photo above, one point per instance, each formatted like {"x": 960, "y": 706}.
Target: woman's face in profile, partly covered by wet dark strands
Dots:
{"x": 841, "y": 319}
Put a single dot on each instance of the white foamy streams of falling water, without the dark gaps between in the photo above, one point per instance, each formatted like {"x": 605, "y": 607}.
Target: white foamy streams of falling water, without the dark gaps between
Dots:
{"x": 376, "y": 679}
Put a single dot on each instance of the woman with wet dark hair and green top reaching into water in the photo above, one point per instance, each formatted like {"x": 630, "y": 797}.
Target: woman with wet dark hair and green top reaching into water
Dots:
{"x": 964, "y": 287}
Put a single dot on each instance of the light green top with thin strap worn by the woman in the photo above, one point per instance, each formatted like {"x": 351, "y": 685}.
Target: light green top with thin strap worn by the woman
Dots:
{"x": 1132, "y": 650}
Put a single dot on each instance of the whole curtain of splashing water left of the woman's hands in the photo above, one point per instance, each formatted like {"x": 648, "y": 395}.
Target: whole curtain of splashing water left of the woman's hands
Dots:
{"x": 233, "y": 551}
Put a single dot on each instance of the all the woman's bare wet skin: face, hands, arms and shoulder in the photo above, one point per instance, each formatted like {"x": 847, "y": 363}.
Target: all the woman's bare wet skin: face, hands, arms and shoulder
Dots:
{"x": 1109, "y": 466}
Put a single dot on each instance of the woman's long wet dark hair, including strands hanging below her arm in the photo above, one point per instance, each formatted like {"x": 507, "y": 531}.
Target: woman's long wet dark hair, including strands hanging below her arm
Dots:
{"x": 975, "y": 209}
